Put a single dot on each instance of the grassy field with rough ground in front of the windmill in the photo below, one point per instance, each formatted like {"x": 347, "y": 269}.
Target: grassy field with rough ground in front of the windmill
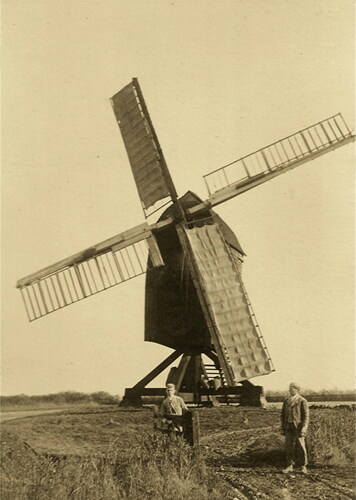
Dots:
{"x": 112, "y": 453}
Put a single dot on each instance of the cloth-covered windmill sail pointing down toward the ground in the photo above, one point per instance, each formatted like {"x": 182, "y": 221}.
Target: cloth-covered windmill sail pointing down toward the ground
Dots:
{"x": 228, "y": 303}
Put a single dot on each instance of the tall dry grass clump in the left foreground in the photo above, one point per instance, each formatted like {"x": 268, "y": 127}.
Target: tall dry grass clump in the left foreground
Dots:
{"x": 156, "y": 467}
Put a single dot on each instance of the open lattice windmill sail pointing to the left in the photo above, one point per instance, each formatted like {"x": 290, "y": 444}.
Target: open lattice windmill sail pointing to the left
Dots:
{"x": 94, "y": 270}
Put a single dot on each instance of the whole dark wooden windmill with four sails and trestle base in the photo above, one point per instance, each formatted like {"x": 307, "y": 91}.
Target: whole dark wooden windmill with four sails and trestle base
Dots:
{"x": 196, "y": 302}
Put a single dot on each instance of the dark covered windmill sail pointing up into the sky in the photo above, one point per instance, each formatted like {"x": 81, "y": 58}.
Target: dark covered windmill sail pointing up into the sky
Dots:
{"x": 148, "y": 165}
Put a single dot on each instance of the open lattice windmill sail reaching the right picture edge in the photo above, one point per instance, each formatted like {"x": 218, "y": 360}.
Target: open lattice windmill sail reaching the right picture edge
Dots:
{"x": 277, "y": 158}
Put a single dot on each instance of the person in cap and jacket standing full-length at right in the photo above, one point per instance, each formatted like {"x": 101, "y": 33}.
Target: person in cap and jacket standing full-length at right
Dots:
{"x": 294, "y": 425}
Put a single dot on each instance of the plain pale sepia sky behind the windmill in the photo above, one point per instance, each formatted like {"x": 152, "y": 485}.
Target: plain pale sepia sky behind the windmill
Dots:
{"x": 220, "y": 80}
